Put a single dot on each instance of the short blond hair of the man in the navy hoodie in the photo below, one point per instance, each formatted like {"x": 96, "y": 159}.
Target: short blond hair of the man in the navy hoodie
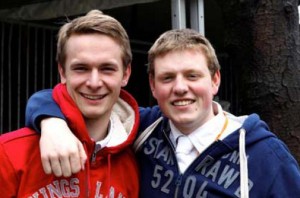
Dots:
{"x": 179, "y": 40}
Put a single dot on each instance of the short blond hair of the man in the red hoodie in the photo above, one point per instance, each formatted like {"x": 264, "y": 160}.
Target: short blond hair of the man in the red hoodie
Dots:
{"x": 94, "y": 22}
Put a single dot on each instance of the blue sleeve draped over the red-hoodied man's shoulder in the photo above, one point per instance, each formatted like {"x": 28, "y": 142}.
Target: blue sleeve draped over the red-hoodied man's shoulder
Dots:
{"x": 41, "y": 105}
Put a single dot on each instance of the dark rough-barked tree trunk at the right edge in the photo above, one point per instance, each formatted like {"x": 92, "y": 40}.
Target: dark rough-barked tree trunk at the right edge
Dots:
{"x": 262, "y": 38}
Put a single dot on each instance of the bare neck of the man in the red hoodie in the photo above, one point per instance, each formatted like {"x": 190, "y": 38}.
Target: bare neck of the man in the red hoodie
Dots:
{"x": 97, "y": 128}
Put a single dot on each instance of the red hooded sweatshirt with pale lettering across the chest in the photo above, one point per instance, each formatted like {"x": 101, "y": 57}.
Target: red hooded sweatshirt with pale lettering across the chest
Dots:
{"x": 112, "y": 172}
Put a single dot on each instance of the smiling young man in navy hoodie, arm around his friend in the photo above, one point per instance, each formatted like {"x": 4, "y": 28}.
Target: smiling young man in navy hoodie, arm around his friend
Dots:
{"x": 188, "y": 146}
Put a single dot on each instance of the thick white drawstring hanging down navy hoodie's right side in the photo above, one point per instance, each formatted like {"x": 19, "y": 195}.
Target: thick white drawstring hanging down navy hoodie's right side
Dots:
{"x": 243, "y": 165}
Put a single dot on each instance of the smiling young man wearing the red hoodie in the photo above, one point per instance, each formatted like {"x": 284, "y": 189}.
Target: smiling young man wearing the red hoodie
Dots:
{"x": 94, "y": 63}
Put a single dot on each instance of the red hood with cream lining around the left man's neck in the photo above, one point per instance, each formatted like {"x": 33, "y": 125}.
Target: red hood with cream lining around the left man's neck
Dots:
{"x": 125, "y": 113}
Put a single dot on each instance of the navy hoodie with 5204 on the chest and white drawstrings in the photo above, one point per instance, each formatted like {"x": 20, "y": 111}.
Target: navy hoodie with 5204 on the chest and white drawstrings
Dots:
{"x": 250, "y": 155}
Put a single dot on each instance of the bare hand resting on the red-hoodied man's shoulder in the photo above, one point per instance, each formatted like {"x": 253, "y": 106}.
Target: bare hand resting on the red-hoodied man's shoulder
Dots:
{"x": 62, "y": 153}
